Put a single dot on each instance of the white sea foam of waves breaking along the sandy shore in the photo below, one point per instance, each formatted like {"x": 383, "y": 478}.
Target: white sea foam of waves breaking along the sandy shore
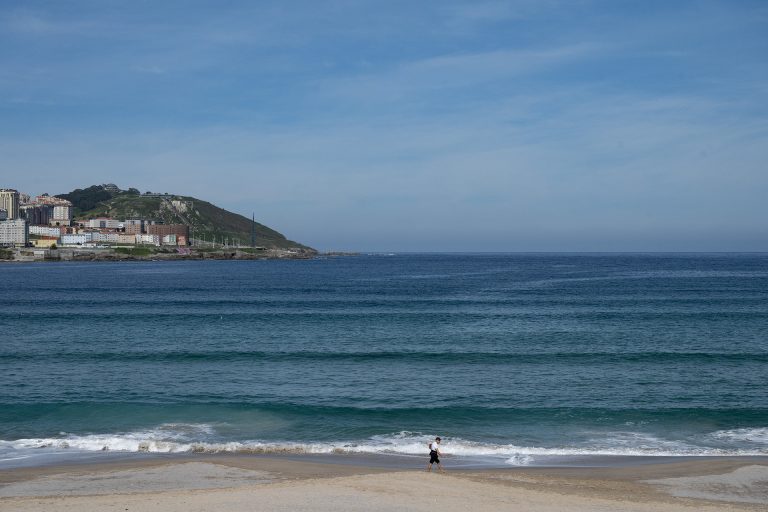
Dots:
{"x": 180, "y": 438}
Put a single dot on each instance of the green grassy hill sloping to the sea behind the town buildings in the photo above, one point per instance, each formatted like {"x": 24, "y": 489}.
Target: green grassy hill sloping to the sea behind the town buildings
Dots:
{"x": 207, "y": 221}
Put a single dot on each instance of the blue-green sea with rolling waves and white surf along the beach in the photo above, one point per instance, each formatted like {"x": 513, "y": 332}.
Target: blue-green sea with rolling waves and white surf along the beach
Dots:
{"x": 513, "y": 359}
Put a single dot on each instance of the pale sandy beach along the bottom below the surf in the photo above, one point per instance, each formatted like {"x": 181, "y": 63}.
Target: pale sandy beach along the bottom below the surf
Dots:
{"x": 263, "y": 483}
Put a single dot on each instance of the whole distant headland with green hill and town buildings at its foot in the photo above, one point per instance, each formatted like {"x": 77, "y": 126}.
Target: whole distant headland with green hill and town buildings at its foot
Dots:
{"x": 106, "y": 223}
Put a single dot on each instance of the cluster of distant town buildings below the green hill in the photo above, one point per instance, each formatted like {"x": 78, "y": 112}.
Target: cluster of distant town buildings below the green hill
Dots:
{"x": 47, "y": 222}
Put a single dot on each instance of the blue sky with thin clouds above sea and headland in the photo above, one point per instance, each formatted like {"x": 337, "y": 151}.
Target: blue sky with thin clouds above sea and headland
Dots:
{"x": 522, "y": 125}
